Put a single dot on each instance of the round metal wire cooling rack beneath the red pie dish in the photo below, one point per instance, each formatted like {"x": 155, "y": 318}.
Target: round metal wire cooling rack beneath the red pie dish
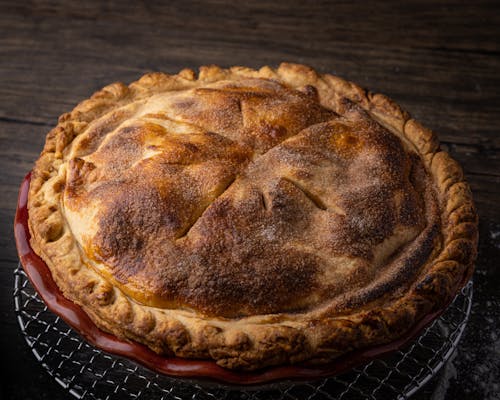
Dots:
{"x": 89, "y": 373}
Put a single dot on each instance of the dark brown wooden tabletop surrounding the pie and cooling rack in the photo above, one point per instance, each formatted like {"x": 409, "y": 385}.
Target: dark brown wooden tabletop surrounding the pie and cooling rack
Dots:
{"x": 438, "y": 59}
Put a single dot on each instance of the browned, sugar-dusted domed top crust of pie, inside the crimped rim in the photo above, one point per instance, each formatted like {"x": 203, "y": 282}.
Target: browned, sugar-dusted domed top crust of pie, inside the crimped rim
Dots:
{"x": 246, "y": 197}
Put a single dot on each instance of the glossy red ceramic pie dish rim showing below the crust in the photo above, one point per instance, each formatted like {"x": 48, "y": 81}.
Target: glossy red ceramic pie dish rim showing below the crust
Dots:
{"x": 41, "y": 278}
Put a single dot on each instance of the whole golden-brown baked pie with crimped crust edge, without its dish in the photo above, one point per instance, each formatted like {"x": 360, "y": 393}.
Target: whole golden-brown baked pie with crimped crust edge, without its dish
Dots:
{"x": 252, "y": 217}
